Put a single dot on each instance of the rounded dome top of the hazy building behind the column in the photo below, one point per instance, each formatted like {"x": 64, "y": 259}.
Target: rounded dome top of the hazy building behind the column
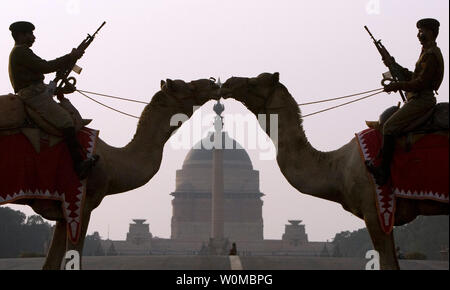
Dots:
{"x": 233, "y": 154}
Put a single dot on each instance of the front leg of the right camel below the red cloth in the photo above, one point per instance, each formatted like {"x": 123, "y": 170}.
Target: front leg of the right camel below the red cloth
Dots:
{"x": 383, "y": 243}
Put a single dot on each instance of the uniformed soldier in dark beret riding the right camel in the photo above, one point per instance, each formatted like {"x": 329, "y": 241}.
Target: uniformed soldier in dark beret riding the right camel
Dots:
{"x": 426, "y": 78}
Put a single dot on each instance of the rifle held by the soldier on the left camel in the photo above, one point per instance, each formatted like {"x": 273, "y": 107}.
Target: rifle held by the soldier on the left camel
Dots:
{"x": 62, "y": 76}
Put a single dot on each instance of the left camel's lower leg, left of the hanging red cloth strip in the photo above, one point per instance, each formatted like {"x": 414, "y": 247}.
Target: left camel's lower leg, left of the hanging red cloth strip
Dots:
{"x": 56, "y": 252}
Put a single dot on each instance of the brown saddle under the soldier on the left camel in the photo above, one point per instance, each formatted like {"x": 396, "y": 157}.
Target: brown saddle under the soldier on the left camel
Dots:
{"x": 15, "y": 117}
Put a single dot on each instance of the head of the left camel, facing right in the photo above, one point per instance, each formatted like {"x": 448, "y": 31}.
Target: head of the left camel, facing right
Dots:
{"x": 186, "y": 95}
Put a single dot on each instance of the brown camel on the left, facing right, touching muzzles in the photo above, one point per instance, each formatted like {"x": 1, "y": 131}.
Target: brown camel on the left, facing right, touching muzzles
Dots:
{"x": 123, "y": 169}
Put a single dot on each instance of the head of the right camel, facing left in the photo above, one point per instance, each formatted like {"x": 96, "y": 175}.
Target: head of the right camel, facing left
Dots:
{"x": 255, "y": 93}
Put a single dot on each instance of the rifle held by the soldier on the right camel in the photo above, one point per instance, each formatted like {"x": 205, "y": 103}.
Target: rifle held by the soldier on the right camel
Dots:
{"x": 395, "y": 72}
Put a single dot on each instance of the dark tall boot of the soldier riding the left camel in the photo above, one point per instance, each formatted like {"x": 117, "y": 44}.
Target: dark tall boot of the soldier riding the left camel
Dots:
{"x": 82, "y": 167}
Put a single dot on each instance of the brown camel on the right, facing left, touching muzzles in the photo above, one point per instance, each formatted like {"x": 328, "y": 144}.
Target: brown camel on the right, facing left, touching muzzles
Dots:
{"x": 339, "y": 176}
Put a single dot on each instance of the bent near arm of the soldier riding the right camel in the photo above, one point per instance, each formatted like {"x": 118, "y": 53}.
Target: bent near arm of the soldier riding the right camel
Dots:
{"x": 423, "y": 80}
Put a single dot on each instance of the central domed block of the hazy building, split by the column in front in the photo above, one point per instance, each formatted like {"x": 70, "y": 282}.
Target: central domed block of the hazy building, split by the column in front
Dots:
{"x": 191, "y": 219}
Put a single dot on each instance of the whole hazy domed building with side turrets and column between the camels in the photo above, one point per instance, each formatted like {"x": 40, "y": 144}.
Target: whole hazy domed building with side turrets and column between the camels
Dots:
{"x": 212, "y": 210}
